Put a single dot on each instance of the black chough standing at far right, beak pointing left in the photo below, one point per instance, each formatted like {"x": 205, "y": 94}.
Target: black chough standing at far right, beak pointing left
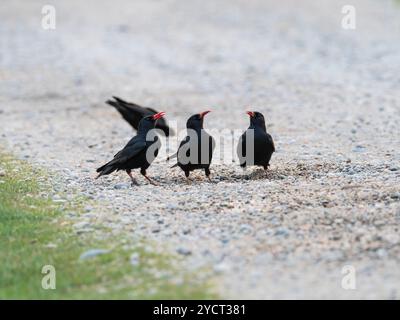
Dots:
{"x": 263, "y": 144}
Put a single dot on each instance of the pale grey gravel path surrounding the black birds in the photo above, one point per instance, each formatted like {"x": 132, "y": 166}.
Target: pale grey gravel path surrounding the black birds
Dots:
{"x": 332, "y": 104}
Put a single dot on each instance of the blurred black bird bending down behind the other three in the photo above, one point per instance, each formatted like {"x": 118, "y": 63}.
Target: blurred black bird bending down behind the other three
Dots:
{"x": 133, "y": 113}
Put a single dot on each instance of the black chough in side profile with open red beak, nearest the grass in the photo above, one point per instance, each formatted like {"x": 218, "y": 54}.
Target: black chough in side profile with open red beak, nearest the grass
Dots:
{"x": 134, "y": 155}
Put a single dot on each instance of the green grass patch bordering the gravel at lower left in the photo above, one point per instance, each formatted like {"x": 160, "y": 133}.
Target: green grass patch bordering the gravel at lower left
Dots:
{"x": 34, "y": 233}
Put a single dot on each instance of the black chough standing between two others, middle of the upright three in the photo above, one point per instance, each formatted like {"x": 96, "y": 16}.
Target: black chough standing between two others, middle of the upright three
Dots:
{"x": 195, "y": 151}
